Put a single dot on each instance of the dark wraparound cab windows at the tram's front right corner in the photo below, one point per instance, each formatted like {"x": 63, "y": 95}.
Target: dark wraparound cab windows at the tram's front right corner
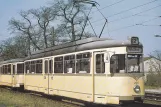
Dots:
{"x": 121, "y": 63}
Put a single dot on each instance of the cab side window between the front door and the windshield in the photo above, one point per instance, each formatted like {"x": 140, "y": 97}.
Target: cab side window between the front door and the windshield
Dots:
{"x": 117, "y": 63}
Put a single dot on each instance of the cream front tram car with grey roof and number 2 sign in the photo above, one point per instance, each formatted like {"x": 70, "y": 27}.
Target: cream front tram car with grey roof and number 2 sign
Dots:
{"x": 96, "y": 70}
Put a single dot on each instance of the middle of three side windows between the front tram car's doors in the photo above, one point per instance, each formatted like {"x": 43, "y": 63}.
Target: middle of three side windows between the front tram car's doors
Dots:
{"x": 69, "y": 64}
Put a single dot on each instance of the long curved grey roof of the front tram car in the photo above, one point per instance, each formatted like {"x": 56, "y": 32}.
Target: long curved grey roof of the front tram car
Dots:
{"x": 80, "y": 45}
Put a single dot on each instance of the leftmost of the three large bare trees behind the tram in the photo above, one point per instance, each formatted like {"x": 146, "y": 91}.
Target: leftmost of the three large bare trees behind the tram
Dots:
{"x": 24, "y": 27}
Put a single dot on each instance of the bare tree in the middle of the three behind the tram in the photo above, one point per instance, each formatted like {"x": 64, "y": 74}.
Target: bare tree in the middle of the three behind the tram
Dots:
{"x": 44, "y": 17}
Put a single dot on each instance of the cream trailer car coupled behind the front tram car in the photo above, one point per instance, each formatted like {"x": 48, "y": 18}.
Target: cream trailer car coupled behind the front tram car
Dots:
{"x": 12, "y": 73}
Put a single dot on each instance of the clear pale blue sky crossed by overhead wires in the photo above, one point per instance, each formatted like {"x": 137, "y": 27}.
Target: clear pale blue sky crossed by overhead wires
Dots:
{"x": 125, "y": 18}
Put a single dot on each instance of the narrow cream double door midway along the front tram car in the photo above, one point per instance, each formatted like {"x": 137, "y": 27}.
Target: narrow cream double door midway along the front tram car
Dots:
{"x": 48, "y": 71}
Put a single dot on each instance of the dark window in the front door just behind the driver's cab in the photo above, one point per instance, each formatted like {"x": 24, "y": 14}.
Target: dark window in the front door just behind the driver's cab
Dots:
{"x": 100, "y": 65}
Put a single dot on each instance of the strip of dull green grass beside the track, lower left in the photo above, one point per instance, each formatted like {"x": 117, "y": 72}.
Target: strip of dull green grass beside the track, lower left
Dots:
{"x": 10, "y": 98}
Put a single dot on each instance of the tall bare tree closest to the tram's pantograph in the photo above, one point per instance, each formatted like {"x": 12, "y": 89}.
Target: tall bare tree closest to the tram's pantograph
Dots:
{"x": 73, "y": 17}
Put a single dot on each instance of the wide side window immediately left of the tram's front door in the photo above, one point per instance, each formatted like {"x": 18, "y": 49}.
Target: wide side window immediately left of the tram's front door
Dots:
{"x": 83, "y": 63}
